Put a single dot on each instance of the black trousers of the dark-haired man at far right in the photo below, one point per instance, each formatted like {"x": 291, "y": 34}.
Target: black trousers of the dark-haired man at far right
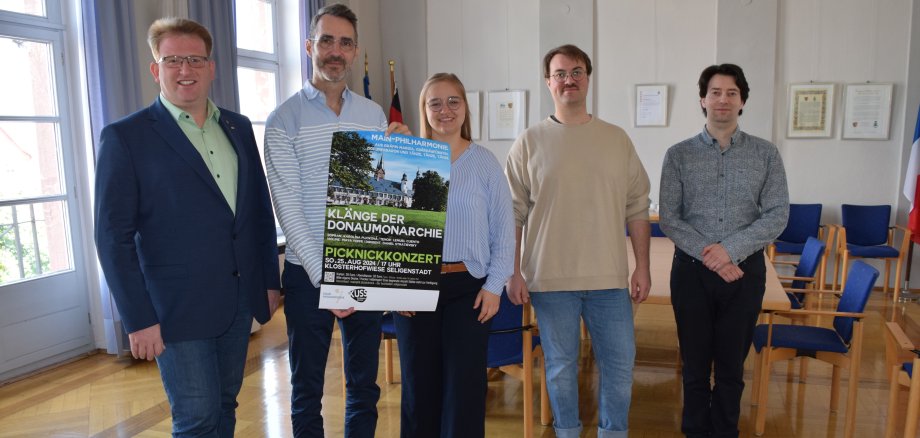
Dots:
{"x": 715, "y": 325}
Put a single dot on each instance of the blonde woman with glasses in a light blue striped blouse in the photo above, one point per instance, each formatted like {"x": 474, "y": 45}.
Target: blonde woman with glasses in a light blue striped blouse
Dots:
{"x": 443, "y": 353}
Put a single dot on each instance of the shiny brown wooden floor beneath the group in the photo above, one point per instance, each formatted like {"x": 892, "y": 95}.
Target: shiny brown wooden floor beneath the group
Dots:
{"x": 103, "y": 396}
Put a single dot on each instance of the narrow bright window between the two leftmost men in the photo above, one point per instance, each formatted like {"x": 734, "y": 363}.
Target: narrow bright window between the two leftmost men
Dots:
{"x": 258, "y": 66}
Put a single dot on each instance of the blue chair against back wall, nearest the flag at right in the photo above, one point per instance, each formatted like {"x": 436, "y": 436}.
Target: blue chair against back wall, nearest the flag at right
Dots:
{"x": 865, "y": 234}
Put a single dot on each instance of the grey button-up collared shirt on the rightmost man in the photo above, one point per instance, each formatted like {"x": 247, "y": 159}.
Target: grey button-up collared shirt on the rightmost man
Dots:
{"x": 737, "y": 197}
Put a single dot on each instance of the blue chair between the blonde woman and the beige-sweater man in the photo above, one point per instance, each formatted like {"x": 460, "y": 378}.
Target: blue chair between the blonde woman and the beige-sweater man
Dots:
{"x": 512, "y": 350}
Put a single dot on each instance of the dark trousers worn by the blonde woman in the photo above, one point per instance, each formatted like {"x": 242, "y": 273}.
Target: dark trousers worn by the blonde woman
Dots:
{"x": 443, "y": 359}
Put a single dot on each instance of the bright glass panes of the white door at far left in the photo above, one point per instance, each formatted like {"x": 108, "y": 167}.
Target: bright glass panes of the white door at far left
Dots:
{"x": 34, "y": 210}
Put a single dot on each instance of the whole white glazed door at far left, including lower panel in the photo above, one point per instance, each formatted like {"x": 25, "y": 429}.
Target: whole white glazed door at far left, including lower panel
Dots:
{"x": 44, "y": 300}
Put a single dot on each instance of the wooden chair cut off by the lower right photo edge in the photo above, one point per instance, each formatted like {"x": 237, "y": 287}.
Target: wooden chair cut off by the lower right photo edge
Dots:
{"x": 902, "y": 358}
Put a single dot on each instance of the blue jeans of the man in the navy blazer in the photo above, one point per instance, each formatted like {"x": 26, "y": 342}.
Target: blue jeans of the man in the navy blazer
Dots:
{"x": 202, "y": 378}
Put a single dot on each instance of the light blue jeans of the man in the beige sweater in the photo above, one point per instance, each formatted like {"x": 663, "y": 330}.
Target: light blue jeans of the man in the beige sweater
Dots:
{"x": 608, "y": 316}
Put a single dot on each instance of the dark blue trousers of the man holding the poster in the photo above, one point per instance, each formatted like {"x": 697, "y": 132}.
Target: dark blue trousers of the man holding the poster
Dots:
{"x": 309, "y": 335}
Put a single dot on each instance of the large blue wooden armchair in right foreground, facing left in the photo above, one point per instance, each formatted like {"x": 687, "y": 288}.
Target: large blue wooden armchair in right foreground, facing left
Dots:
{"x": 840, "y": 346}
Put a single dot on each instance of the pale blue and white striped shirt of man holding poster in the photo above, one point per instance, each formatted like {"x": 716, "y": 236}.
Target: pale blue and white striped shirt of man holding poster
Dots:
{"x": 298, "y": 141}
